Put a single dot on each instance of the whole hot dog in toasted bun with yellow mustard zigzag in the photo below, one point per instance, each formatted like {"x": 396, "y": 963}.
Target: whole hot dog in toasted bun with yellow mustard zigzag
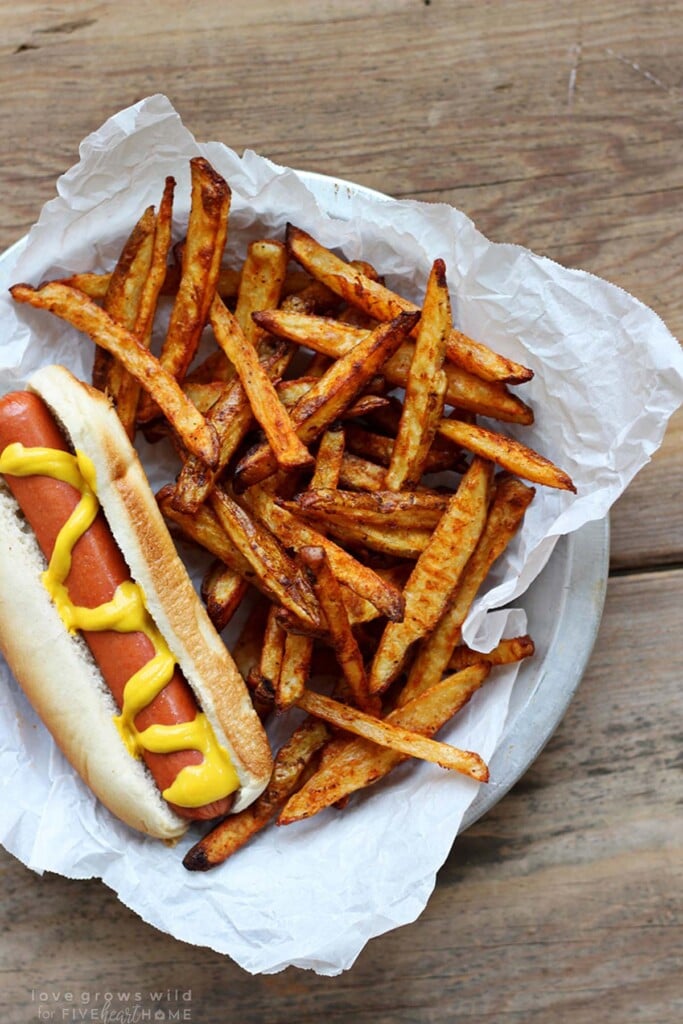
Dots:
{"x": 102, "y": 560}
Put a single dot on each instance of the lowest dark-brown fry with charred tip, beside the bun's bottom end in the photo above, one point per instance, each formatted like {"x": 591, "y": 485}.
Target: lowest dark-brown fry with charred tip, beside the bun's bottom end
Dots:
{"x": 290, "y": 766}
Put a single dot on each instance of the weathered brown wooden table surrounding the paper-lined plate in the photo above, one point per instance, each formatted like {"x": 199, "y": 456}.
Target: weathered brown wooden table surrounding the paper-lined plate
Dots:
{"x": 557, "y": 126}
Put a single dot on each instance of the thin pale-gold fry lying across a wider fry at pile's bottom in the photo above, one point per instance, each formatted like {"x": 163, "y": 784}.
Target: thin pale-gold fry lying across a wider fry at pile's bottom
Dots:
{"x": 388, "y": 733}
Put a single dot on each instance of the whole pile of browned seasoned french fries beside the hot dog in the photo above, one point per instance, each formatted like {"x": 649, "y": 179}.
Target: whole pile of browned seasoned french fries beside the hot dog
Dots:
{"x": 332, "y": 465}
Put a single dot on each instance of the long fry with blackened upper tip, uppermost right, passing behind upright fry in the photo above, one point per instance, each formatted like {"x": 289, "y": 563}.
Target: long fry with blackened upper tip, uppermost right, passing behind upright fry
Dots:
{"x": 382, "y": 305}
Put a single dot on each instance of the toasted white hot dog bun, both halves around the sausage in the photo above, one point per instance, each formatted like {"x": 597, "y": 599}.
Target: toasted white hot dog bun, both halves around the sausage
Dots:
{"x": 58, "y": 672}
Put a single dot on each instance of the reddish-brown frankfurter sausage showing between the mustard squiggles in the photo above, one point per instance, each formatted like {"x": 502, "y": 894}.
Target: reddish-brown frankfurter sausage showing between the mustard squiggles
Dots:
{"x": 98, "y": 569}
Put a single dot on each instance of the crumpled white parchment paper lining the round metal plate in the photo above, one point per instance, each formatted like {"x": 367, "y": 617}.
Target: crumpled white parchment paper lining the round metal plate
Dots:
{"x": 609, "y": 375}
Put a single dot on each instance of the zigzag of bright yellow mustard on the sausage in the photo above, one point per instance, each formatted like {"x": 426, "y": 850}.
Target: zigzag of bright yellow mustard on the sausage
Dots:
{"x": 215, "y": 778}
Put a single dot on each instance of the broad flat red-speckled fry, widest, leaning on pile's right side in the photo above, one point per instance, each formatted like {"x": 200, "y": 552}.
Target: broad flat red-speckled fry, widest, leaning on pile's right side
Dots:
{"x": 437, "y": 574}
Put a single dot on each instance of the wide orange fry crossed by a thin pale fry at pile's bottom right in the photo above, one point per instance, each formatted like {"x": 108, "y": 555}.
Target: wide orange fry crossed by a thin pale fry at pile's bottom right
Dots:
{"x": 352, "y": 764}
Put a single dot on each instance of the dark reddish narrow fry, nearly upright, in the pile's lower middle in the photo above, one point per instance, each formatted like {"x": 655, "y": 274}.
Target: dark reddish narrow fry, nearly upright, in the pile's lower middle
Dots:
{"x": 339, "y": 635}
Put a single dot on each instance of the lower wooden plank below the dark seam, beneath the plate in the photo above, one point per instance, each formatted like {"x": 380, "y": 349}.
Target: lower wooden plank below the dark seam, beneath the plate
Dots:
{"x": 568, "y": 898}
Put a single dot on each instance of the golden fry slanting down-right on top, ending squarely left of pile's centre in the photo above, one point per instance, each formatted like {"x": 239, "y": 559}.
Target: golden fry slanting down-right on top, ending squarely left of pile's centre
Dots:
{"x": 290, "y": 453}
